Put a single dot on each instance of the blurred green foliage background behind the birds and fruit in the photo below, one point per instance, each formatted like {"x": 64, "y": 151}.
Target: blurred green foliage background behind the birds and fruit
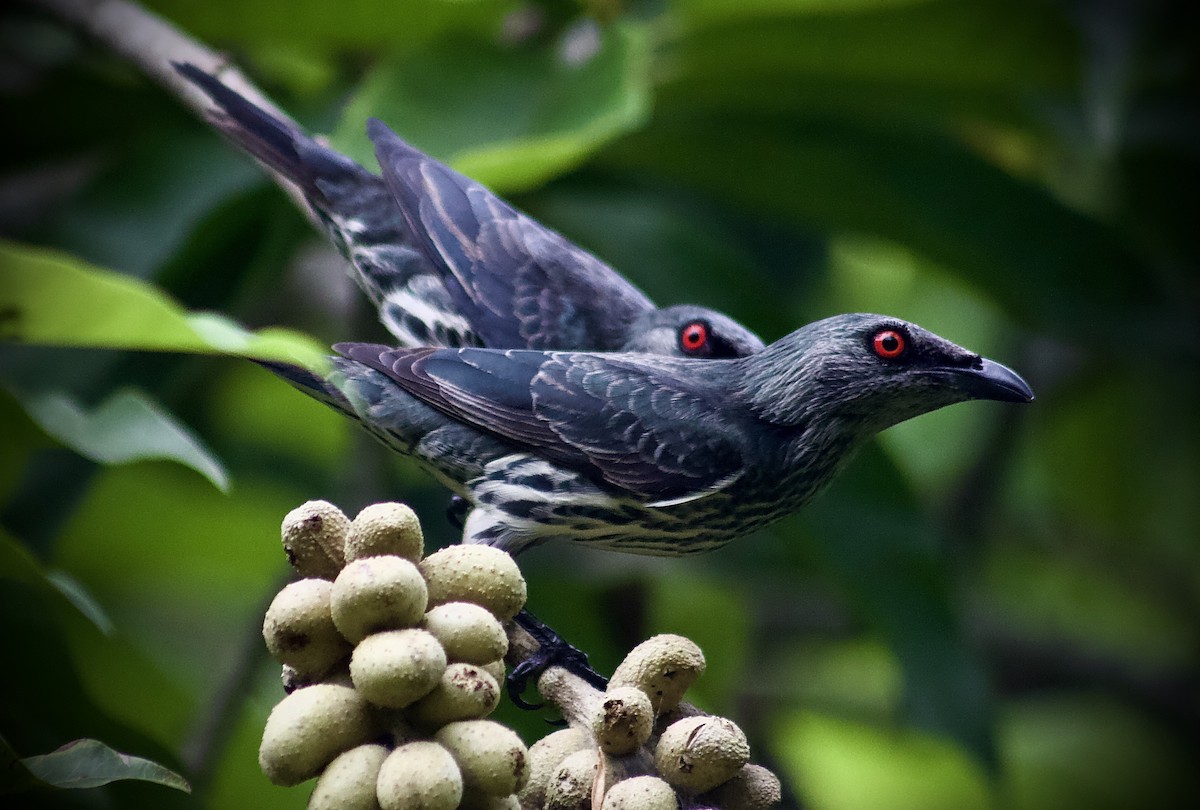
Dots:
{"x": 995, "y": 607}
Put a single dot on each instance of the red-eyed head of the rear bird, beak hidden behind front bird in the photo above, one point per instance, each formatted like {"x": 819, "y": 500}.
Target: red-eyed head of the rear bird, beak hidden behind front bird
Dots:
{"x": 692, "y": 332}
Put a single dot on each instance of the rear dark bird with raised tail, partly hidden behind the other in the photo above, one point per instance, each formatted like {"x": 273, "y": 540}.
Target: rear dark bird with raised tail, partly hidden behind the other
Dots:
{"x": 448, "y": 263}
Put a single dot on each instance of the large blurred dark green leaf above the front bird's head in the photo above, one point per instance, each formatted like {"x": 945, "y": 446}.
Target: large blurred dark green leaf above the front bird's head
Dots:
{"x": 893, "y": 122}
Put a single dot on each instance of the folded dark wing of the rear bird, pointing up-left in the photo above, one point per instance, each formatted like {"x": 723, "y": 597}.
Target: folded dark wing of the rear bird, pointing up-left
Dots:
{"x": 521, "y": 285}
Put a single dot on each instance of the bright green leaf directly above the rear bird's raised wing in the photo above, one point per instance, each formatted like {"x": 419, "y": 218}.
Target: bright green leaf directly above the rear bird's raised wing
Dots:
{"x": 508, "y": 117}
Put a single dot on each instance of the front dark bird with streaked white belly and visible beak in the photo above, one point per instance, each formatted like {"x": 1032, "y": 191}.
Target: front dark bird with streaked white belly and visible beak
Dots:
{"x": 651, "y": 454}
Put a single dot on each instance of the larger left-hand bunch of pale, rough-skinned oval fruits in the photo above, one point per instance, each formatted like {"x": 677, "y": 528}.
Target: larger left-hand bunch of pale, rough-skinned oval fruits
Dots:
{"x": 393, "y": 661}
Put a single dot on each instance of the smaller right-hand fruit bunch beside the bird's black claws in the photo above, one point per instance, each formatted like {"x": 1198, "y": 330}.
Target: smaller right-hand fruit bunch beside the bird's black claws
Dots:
{"x": 645, "y": 751}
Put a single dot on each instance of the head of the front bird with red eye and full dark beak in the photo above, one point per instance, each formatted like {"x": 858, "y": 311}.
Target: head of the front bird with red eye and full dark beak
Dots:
{"x": 871, "y": 373}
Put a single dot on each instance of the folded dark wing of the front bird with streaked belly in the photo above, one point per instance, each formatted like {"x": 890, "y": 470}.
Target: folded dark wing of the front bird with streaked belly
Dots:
{"x": 628, "y": 424}
